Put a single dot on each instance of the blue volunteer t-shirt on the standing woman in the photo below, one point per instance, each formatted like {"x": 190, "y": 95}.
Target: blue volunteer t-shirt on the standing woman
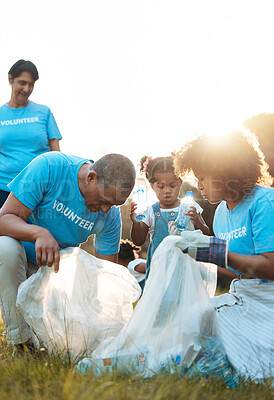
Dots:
{"x": 24, "y": 134}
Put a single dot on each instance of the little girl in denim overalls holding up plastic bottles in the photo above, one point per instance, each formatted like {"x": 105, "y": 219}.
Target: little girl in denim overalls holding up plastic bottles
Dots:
{"x": 160, "y": 174}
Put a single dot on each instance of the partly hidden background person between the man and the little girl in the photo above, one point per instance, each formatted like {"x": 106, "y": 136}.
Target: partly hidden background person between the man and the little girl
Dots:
{"x": 128, "y": 257}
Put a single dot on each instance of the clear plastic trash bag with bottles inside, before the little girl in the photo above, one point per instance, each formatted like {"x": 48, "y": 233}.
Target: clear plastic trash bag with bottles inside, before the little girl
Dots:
{"x": 172, "y": 325}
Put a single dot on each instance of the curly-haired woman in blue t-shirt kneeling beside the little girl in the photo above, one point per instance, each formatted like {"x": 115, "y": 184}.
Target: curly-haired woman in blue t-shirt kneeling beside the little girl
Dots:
{"x": 231, "y": 170}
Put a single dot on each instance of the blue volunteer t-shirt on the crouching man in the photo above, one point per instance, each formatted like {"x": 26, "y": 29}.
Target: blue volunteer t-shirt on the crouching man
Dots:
{"x": 49, "y": 187}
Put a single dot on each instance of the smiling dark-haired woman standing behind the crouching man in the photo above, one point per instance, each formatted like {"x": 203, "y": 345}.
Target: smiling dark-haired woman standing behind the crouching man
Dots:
{"x": 27, "y": 129}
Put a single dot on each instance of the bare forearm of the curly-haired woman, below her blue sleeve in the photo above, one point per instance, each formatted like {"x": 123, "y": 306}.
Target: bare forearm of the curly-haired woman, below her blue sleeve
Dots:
{"x": 256, "y": 266}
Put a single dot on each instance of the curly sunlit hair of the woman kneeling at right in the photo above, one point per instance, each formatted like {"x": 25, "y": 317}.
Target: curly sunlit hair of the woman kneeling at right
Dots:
{"x": 234, "y": 157}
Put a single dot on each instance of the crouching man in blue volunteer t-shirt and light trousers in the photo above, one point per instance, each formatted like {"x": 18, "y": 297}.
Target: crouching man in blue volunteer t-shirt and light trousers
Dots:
{"x": 56, "y": 202}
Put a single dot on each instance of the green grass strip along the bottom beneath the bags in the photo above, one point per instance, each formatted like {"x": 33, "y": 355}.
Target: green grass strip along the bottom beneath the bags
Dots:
{"x": 45, "y": 378}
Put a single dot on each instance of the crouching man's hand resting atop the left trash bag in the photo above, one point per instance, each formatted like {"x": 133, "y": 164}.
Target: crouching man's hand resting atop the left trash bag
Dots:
{"x": 47, "y": 250}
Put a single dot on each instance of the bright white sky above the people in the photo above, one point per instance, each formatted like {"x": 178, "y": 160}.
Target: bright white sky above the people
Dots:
{"x": 141, "y": 77}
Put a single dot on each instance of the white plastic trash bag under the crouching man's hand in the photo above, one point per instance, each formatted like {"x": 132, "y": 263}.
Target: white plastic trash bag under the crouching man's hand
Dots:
{"x": 86, "y": 302}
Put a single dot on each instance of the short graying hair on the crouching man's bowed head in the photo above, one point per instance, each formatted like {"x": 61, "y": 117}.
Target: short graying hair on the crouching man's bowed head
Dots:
{"x": 115, "y": 170}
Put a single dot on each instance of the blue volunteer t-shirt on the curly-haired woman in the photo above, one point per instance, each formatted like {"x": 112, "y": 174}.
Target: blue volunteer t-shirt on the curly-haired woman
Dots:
{"x": 249, "y": 227}
